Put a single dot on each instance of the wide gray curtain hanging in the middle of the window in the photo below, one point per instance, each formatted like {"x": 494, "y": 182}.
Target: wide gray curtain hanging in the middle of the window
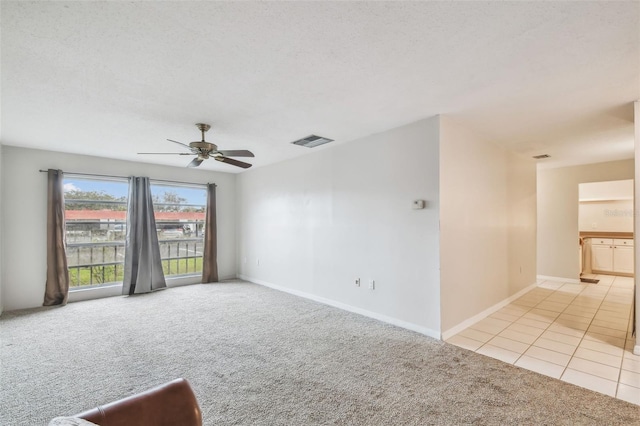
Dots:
{"x": 142, "y": 263}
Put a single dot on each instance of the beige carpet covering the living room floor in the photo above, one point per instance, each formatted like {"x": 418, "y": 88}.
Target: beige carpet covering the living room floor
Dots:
{"x": 255, "y": 356}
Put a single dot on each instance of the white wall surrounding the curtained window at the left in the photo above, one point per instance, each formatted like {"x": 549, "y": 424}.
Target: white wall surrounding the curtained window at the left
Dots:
{"x": 24, "y": 213}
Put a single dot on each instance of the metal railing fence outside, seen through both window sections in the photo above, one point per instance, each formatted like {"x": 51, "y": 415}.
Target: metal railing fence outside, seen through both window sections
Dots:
{"x": 99, "y": 263}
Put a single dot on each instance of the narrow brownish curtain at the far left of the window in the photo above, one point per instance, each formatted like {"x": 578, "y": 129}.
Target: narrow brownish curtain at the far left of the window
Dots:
{"x": 57, "y": 285}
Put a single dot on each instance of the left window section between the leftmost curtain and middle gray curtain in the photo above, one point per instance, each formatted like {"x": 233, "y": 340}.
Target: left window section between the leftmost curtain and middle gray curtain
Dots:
{"x": 96, "y": 213}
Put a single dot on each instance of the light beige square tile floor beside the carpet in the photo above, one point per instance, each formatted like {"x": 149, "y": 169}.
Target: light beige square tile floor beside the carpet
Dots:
{"x": 578, "y": 333}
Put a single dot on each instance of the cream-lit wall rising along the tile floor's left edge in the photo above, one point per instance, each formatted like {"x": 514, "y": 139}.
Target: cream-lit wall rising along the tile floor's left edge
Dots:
{"x": 487, "y": 224}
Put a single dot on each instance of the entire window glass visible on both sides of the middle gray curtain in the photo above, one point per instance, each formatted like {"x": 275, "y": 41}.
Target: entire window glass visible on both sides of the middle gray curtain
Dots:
{"x": 96, "y": 227}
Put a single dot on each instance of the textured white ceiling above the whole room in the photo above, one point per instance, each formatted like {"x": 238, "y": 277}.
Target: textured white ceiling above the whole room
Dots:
{"x": 115, "y": 78}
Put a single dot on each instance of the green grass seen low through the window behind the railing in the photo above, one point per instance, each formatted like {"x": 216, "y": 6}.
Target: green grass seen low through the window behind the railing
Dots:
{"x": 80, "y": 277}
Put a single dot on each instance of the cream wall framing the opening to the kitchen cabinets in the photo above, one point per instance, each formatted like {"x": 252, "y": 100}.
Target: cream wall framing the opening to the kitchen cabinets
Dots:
{"x": 558, "y": 213}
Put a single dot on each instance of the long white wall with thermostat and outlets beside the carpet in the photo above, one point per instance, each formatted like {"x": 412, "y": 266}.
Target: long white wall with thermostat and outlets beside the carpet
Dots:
{"x": 314, "y": 224}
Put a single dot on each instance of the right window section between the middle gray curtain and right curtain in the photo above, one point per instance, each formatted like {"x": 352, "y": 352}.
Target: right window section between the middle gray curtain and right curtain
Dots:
{"x": 180, "y": 213}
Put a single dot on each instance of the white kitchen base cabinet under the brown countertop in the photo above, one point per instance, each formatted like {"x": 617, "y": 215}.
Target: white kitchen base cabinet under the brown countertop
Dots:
{"x": 612, "y": 255}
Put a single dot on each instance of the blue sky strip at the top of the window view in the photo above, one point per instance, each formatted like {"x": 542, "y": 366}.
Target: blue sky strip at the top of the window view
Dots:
{"x": 121, "y": 189}
